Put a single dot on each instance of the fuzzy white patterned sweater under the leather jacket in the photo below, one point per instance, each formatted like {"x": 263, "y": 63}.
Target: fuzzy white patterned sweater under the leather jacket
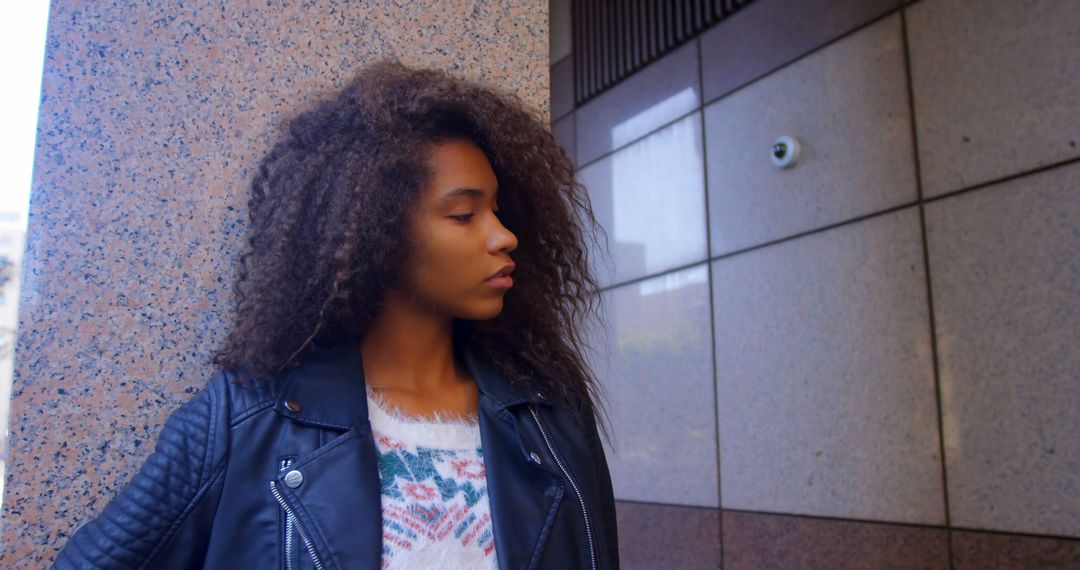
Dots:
{"x": 436, "y": 513}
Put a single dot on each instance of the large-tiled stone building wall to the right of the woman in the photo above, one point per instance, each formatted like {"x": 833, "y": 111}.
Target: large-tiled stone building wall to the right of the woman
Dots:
{"x": 868, "y": 360}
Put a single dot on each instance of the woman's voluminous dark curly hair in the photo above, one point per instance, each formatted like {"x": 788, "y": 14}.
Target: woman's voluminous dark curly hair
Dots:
{"x": 329, "y": 209}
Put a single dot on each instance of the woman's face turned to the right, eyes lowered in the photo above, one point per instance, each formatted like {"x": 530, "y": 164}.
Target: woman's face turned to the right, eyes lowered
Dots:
{"x": 458, "y": 243}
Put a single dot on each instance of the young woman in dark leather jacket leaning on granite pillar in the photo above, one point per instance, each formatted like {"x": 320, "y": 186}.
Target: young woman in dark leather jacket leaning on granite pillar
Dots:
{"x": 404, "y": 384}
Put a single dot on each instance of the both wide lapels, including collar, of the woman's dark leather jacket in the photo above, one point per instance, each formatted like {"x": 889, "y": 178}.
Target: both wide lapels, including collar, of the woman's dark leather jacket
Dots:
{"x": 340, "y": 501}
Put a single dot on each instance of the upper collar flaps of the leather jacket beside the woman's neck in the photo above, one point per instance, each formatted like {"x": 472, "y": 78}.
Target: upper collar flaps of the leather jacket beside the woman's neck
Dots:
{"x": 329, "y": 390}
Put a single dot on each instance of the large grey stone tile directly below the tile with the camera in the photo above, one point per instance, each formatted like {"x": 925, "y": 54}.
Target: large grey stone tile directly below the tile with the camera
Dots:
{"x": 825, "y": 376}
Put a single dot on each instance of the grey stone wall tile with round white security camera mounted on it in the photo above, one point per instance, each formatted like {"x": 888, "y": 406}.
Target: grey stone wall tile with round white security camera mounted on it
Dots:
{"x": 848, "y": 107}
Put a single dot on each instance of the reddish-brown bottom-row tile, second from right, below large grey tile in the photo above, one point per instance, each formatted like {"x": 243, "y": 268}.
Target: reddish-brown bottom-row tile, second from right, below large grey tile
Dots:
{"x": 764, "y": 542}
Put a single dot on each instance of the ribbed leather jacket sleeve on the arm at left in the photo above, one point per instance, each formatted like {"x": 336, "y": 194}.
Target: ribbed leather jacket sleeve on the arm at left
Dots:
{"x": 163, "y": 519}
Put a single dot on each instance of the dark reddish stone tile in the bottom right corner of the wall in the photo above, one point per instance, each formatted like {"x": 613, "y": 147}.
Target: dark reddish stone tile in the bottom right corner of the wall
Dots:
{"x": 982, "y": 551}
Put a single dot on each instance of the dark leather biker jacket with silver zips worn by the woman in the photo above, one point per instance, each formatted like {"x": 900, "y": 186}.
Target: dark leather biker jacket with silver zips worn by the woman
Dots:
{"x": 214, "y": 493}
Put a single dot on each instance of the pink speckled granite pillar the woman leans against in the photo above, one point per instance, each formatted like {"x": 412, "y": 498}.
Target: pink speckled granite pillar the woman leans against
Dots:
{"x": 152, "y": 119}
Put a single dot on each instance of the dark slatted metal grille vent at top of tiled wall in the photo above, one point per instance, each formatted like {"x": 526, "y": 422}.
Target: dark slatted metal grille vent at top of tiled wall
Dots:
{"x": 615, "y": 38}
